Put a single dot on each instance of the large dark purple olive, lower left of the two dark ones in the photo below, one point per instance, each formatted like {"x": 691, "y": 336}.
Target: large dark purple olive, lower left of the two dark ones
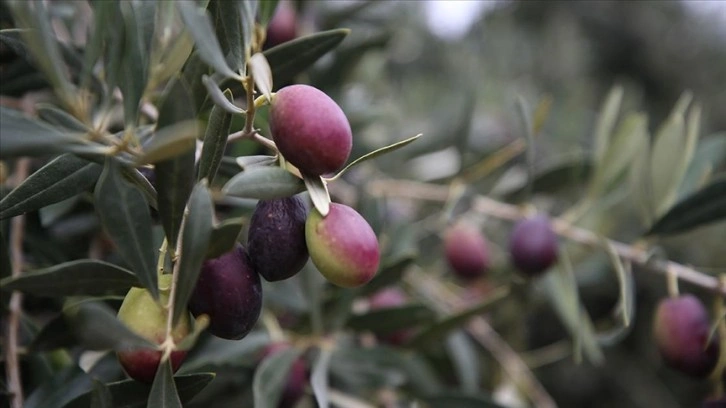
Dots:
{"x": 229, "y": 291}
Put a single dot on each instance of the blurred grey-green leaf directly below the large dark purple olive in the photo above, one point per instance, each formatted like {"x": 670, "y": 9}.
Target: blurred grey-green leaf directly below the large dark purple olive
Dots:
{"x": 218, "y": 353}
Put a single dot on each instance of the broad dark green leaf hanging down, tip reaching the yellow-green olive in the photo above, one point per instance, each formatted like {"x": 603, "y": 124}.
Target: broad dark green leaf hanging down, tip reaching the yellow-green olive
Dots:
{"x": 125, "y": 215}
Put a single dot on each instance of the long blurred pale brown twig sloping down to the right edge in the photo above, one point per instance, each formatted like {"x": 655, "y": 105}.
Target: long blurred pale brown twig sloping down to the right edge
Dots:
{"x": 637, "y": 255}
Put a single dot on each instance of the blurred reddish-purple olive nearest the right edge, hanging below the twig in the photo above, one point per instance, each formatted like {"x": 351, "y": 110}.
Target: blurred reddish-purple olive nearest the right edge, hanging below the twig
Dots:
{"x": 681, "y": 330}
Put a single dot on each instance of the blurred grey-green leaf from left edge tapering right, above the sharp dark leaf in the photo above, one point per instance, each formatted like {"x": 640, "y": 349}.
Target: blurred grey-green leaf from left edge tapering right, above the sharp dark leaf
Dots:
{"x": 21, "y": 135}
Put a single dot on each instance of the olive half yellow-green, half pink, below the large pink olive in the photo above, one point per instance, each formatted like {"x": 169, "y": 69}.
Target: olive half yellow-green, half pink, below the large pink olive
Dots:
{"x": 342, "y": 246}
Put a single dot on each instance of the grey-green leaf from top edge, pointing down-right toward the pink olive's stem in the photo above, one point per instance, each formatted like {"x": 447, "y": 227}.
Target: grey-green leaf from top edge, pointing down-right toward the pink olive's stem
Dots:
{"x": 199, "y": 25}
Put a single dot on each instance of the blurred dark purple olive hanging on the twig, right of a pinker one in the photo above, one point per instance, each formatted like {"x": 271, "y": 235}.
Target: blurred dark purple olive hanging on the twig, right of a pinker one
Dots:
{"x": 533, "y": 245}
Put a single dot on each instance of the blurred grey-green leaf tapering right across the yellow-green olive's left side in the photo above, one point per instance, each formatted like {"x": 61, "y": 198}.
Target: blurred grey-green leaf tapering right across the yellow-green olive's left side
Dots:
{"x": 97, "y": 328}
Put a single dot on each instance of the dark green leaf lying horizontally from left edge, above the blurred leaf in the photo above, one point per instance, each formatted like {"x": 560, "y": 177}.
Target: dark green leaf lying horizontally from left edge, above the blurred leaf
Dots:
{"x": 81, "y": 277}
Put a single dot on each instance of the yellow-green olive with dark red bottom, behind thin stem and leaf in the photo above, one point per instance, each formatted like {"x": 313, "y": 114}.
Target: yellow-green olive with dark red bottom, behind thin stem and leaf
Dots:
{"x": 144, "y": 316}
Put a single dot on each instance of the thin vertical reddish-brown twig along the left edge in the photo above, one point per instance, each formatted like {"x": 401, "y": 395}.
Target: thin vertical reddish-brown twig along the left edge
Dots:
{"x": 12, "y": 366}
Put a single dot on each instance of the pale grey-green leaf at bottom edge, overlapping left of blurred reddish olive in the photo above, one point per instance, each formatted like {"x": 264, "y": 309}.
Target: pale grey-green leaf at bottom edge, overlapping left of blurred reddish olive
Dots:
{"x": 271, "y": 376}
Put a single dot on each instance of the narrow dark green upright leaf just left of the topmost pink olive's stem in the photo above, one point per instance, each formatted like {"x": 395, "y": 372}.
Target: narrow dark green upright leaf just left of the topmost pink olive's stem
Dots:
{"x": 215, "y": 141}
